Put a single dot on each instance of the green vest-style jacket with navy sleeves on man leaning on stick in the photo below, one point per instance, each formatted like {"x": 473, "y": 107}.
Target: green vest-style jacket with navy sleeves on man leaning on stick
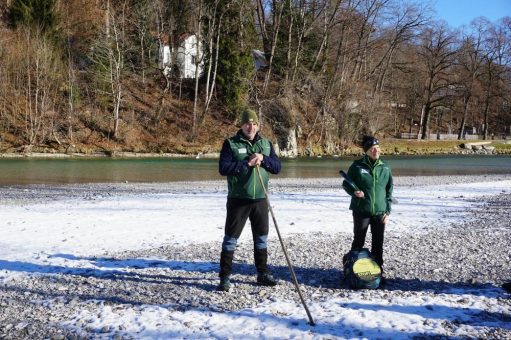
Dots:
{"x": 242, "y": 180}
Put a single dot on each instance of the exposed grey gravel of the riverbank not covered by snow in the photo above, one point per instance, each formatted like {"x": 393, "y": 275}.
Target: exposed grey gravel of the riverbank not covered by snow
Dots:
{"x": 471, "y": 255}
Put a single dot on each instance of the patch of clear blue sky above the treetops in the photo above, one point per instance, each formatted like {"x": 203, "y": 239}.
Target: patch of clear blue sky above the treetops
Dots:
{"x": 461, "y": 12}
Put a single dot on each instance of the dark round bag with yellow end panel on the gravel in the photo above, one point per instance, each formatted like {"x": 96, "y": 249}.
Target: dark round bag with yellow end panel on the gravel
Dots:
{"x": 361, "y": 270}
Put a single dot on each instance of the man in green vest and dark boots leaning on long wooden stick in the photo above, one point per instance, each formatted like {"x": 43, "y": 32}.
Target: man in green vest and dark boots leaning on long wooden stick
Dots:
{"x": 242, "y": 158}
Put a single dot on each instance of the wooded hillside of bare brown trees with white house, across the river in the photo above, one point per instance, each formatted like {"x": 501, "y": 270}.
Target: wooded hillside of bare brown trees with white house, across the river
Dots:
{"x": 112, "y": 75}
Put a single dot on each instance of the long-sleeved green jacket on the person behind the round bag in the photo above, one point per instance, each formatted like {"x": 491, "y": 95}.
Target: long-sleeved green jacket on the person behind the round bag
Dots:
{"x": 375, "y": 180}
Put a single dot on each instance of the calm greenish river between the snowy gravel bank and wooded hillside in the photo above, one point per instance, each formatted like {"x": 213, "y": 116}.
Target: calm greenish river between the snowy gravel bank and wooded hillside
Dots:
{"x": 21, "y": 171}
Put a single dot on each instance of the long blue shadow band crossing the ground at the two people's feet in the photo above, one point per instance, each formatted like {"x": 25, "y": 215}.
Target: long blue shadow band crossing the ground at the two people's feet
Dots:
{"x": 132, "y": 269}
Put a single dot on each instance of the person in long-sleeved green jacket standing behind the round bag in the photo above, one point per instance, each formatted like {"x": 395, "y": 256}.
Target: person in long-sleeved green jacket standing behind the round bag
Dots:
{"x": 371, "y": 197}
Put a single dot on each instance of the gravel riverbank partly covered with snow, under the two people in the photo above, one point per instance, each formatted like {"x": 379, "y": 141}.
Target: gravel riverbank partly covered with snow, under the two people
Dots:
{"x": 446, "y": 250}
